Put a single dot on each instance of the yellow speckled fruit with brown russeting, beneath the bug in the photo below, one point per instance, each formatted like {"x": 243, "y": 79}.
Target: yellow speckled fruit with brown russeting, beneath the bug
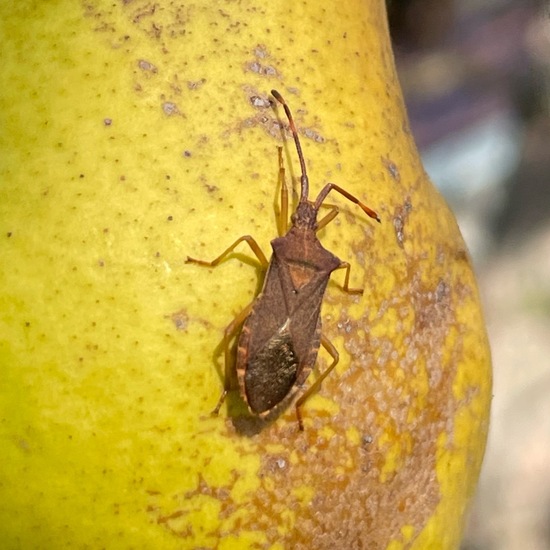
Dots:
{"x": 134, "y": 134}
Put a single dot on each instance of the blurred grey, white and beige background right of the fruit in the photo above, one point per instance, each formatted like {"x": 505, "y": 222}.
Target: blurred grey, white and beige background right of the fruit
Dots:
{"x": 476, "y": 79}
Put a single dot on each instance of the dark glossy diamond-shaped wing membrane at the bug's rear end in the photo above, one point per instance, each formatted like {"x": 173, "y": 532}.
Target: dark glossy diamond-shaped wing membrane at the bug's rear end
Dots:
{"x": 271, "y": 373}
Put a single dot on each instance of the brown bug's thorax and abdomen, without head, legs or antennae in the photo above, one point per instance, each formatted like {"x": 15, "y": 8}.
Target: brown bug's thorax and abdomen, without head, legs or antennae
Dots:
{"x": 280, "y": 338}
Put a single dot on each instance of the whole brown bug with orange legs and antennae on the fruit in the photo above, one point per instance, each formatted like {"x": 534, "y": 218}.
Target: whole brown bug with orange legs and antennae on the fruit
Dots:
{"x": 281, "y": 328}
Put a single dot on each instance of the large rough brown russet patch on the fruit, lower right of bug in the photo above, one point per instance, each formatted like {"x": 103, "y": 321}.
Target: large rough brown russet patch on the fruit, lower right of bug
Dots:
{"x": 350, "y": 494}
